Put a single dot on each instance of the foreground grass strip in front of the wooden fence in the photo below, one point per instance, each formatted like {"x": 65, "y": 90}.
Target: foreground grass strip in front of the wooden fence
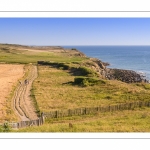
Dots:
{"x": 122, "y": 121}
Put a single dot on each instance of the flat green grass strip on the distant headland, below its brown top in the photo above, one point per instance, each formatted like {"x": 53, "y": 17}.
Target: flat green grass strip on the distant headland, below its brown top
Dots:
{"x": 32, "y": 57}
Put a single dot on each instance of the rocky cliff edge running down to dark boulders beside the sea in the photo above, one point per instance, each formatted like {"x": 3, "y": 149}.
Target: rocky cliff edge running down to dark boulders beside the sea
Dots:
{"x": 124, "y": 75}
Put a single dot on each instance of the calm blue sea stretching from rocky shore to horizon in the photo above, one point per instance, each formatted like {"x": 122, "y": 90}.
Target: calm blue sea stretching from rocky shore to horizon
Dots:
{"x": 136, "y": 58}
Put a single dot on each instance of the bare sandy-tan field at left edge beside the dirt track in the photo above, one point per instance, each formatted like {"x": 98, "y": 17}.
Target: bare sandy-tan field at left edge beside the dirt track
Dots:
{"x": 9, "y": 75}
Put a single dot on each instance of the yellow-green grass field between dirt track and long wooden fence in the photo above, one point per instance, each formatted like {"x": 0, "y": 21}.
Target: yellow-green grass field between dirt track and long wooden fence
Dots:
{"x": 53, "y": 91}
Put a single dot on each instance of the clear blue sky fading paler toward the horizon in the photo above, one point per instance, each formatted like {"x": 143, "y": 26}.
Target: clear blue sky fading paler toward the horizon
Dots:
{"x": 75, "y": 31}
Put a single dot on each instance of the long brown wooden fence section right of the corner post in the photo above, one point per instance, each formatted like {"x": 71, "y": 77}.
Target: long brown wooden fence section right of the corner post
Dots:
{"x": 92, "y": 110}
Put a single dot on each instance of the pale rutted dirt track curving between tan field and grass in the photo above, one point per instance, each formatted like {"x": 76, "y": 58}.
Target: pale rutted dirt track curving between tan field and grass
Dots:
{"x": 23, "y": 104}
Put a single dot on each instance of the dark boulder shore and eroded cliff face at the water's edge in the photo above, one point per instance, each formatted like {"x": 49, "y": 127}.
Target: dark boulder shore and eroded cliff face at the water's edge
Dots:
{"x": 128, "y": 76}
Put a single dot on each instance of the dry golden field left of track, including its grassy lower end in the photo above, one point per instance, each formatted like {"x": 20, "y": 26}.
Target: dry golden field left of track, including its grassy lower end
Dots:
{"x": 9, "y": 76}
